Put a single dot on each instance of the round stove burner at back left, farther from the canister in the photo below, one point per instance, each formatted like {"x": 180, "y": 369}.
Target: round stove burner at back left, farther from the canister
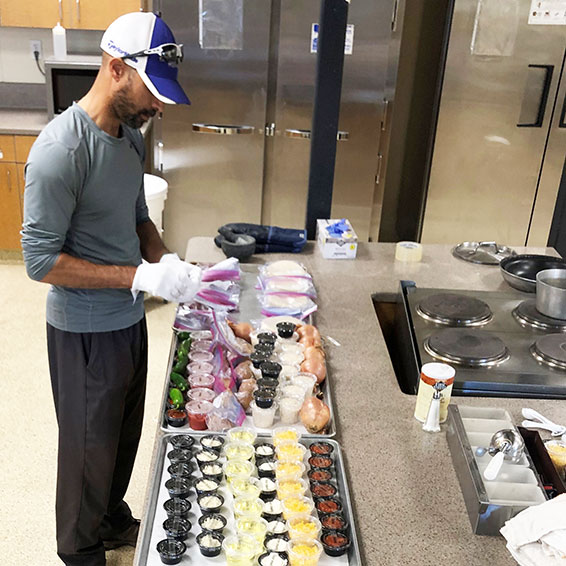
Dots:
{"x": 454, "y": 310}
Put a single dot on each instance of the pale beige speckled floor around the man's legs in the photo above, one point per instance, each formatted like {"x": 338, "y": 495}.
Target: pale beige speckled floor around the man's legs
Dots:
{"x": 28, "y": 430}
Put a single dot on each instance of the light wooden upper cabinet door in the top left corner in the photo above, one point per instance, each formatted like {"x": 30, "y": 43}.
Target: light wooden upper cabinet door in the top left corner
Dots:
{"x": 31, "y": 13}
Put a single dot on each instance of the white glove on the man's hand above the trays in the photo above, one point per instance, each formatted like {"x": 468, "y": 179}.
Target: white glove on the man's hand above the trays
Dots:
{"x": 174, "y": 281}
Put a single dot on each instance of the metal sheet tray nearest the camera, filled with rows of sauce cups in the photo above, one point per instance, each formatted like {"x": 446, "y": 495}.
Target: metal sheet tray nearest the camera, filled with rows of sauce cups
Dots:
{"x": 152, "y": 530}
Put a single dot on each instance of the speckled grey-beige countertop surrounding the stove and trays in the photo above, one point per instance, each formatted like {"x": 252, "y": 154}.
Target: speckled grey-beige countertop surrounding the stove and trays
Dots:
{"x": 408, "y": 504}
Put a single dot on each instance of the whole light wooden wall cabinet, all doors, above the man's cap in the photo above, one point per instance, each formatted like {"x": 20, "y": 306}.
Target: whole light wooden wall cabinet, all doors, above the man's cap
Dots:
{"x": 72, "y": 14}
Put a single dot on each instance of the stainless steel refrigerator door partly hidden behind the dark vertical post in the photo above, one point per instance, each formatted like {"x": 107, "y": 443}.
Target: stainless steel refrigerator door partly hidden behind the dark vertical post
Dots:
{"x": 288, "y": 151}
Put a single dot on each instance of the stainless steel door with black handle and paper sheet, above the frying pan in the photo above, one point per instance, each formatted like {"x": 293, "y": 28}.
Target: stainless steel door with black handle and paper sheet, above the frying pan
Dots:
{"x": 485, "y": 167}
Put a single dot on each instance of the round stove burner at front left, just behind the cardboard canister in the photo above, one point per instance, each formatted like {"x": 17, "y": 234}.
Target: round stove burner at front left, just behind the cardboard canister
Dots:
{"x": 467, "y": 347}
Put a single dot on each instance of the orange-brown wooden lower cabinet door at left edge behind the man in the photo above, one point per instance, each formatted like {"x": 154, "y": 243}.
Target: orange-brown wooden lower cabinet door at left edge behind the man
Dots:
{"x": 10, "y": 211}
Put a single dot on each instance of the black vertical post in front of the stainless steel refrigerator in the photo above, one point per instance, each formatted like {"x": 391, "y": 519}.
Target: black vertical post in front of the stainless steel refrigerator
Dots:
{"x": 328, "y": 86}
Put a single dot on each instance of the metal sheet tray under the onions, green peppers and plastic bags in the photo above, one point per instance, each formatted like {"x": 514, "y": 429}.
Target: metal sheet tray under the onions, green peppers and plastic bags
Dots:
{"x": 249, "y": 310}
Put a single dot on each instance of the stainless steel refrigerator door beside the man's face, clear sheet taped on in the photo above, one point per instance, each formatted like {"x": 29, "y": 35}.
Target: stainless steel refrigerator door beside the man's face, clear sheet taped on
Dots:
{"x": 213, "y": 150}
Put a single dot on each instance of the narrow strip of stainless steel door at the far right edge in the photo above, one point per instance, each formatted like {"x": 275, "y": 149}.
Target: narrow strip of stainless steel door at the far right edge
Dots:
{"x": 551, "y": 173}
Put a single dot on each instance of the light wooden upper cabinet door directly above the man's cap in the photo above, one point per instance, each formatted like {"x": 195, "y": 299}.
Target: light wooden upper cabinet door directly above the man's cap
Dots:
{"x": 99, "y": 14}
